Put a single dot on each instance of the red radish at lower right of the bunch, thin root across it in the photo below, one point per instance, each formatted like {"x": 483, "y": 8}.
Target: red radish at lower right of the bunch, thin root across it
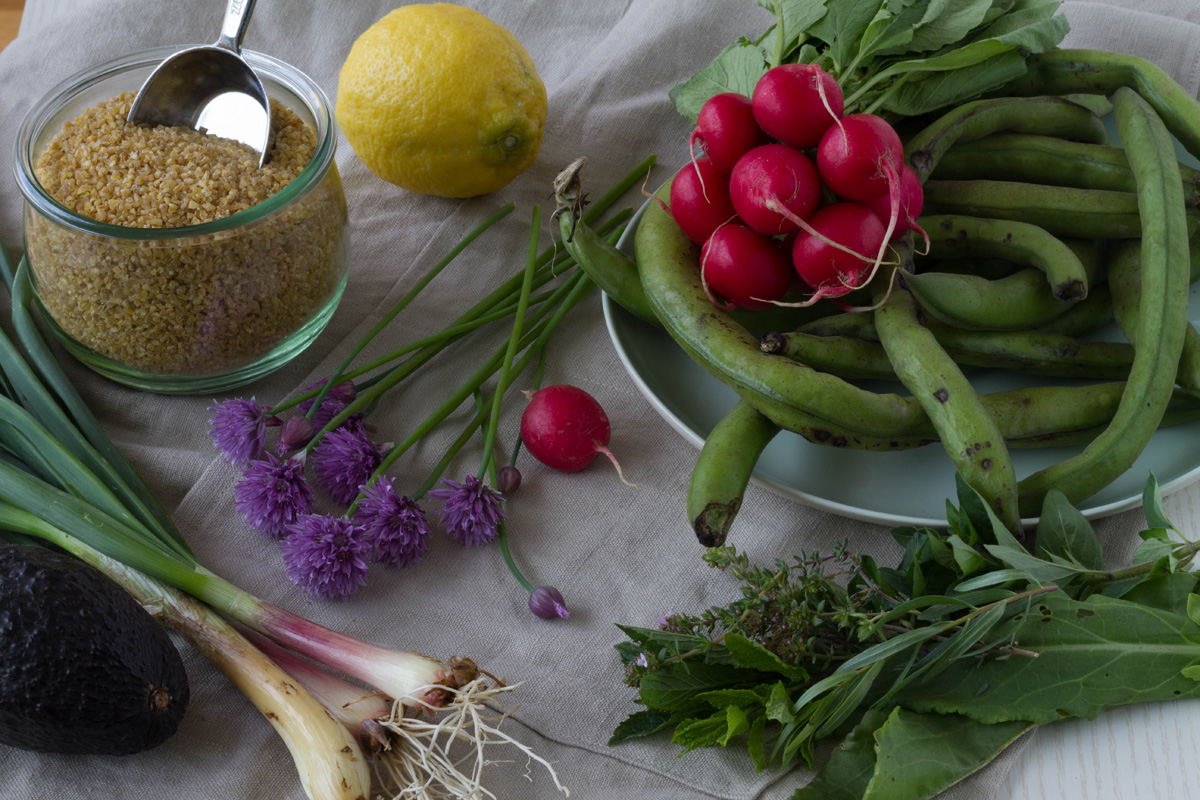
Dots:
{"x": 850, "y": 262}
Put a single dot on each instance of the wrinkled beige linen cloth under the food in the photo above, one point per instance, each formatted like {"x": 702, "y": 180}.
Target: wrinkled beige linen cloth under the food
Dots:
{"x": 617, "y": 555}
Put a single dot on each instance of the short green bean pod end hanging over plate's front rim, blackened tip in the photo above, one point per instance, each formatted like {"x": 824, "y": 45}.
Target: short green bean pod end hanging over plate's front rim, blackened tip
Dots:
{"x": 723, "y": 472}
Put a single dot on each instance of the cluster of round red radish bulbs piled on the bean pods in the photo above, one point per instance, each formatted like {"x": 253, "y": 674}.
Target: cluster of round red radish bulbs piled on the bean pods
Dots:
{"x": 793, "y": 193}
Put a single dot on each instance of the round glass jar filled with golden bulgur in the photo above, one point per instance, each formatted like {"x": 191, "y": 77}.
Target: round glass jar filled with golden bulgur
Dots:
{"x": 166, "y": 258}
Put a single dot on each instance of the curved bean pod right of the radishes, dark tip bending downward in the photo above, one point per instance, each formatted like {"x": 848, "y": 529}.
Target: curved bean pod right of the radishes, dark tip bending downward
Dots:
{"x": 953, "y": 236}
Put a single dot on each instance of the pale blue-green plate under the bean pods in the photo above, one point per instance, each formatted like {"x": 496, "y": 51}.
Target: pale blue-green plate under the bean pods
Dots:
{"x": 891, "y": 489}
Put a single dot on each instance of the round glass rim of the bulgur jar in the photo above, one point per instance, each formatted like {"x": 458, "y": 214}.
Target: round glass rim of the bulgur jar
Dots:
{"x": 287, "y": 76}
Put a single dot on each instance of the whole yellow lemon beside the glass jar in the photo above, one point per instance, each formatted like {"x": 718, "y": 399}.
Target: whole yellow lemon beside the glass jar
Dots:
{"x": 440, "y": 100}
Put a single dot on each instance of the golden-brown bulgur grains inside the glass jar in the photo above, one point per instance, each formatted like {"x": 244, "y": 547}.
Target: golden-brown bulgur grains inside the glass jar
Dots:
{"x": 188, "y": 305}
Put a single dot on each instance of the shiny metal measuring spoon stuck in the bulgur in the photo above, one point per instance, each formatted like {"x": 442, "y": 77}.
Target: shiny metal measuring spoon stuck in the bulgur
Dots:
{"x": 211, "y": 88}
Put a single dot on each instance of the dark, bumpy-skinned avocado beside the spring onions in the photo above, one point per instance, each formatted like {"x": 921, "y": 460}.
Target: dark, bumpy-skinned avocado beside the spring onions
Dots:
{"x": 83, "y": 667}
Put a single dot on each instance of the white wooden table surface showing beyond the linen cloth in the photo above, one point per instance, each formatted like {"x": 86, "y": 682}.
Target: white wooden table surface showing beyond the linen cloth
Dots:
{"x": 1141, "y": 751}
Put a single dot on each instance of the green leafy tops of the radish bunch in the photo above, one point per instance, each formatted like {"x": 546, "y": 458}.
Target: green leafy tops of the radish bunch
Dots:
{"x": 899, "y": 58}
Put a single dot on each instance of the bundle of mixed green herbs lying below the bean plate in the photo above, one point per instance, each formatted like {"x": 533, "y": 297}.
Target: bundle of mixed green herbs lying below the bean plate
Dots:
{"x": 928, "y": 670}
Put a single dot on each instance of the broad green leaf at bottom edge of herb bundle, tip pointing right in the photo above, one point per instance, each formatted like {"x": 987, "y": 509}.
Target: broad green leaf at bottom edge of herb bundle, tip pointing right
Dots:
{"x": 922, "y": 755}
